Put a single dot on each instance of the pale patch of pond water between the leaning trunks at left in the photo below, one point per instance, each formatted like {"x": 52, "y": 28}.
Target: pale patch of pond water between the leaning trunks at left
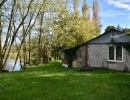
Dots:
{"x": 10, "y": 64}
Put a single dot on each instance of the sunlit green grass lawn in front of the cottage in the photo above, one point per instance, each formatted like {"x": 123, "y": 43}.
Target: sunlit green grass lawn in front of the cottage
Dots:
{"x": 53, "y": 82}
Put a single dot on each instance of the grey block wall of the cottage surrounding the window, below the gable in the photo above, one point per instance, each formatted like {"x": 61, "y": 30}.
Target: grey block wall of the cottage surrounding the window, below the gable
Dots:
{"x": 98, "y": 57}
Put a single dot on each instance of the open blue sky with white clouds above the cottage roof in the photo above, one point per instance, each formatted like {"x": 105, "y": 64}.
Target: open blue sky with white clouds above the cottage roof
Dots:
{"x": 113, "y": 13}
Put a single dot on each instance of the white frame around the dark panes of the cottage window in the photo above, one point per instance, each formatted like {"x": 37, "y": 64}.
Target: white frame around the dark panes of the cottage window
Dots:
{"x": 115, "y": 60}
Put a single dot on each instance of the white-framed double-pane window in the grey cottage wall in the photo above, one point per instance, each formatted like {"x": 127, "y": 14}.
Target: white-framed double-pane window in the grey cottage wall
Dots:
{"x": 115, "y": 53}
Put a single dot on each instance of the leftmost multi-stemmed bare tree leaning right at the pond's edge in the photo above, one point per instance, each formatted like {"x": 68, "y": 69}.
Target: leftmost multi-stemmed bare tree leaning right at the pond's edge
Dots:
{"x": 13, "y": 27}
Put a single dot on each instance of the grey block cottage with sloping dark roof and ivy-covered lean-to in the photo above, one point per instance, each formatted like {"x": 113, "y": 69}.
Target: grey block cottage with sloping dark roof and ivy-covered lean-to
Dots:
{"x": 109, "y": 50}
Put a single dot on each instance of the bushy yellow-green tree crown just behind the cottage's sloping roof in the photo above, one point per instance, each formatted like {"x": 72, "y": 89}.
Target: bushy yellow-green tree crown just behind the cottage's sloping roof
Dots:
{"x": 74, "y": 30}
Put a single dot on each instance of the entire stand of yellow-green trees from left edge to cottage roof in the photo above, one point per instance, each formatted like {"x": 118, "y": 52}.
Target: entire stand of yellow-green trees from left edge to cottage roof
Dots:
{"x": 28, "y": 27}
